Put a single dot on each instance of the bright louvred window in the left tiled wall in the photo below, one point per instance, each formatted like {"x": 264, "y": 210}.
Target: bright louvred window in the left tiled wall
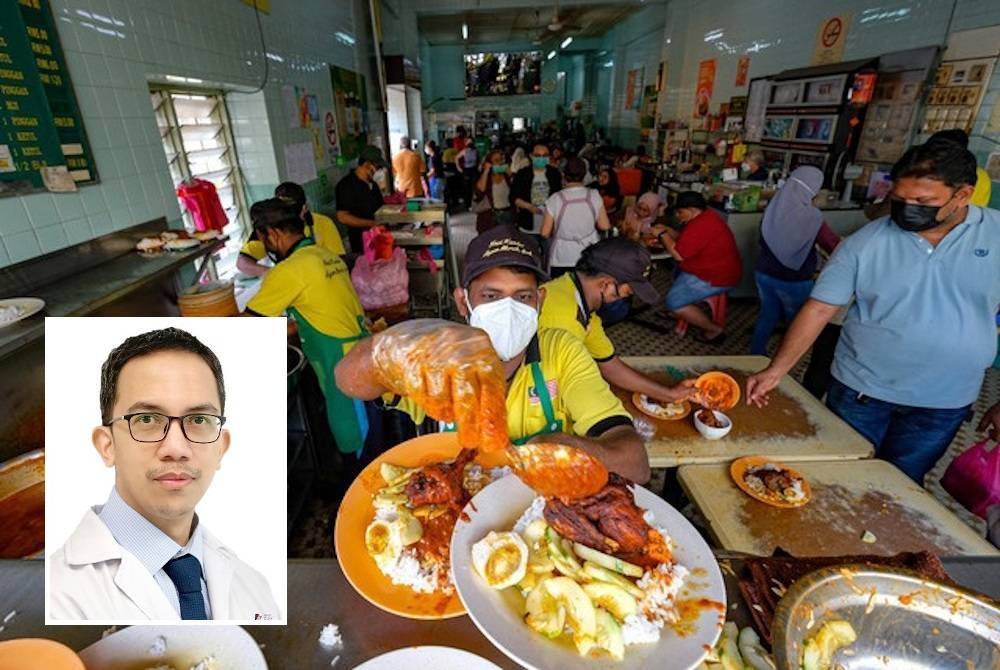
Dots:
{"x": 197, "y": 141}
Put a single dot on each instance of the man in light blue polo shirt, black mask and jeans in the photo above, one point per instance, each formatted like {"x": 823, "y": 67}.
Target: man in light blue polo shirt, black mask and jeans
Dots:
{"x": 920, "y": 334}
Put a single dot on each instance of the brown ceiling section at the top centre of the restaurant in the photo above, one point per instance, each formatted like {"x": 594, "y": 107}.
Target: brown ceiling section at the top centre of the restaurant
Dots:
{"x": 522, "y": 24}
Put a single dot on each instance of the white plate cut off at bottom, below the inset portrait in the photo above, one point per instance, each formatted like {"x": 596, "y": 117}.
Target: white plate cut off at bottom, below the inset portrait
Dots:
{"x": 130, "y": 647}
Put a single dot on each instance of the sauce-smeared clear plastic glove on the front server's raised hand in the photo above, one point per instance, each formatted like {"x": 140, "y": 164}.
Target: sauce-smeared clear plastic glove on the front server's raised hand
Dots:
{"x": 450, "y": 370}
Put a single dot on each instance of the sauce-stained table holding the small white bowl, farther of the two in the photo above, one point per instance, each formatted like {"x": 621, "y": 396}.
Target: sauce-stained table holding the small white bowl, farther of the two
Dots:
{"x": 794, "y": 425}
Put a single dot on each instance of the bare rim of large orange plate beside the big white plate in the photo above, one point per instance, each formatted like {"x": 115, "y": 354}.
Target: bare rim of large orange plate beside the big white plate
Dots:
{"x": 356, "y": 512}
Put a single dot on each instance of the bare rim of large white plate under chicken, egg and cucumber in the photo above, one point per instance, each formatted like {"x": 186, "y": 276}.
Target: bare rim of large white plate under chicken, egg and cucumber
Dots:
{"x": 498, "y": 613}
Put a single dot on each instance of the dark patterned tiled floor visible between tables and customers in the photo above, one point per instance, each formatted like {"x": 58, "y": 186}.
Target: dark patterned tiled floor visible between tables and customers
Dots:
{"x": 313, "y": 537}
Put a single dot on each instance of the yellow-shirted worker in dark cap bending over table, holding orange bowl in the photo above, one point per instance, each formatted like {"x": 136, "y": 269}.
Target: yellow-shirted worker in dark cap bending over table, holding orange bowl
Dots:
{"x": 608, "y": 271}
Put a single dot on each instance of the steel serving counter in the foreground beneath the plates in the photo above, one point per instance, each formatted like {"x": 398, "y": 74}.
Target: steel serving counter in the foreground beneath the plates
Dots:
{"x": 319, "y": 594}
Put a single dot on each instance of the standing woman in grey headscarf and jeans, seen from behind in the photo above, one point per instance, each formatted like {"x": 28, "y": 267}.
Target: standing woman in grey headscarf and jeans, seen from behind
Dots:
{"x": 791, "y": 229}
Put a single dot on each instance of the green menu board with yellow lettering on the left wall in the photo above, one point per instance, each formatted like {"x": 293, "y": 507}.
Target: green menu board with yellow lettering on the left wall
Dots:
{"x": 40, "y": 121}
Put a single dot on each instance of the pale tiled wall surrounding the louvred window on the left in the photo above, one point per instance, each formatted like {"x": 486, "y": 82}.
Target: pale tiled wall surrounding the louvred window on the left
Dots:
{"x": 112, "y": 48}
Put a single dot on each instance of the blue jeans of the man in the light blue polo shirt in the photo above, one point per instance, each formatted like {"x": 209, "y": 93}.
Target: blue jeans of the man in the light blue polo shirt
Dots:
{"x": 911, "y": 438}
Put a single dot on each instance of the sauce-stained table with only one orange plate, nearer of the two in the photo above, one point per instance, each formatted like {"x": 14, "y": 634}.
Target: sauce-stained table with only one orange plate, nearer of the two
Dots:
{"x": 855, "y": 507}
